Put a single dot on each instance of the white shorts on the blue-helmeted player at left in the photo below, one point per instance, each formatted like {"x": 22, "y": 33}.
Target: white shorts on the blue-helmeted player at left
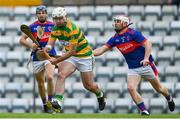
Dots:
{"x": 38, "y": 66}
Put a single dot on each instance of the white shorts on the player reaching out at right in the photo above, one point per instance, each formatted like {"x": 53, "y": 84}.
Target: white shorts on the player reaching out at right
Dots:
{"x": 146, "y": 72}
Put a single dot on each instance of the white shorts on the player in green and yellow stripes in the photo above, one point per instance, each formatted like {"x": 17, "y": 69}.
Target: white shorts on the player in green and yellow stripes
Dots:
{"x": 82, "y": 64}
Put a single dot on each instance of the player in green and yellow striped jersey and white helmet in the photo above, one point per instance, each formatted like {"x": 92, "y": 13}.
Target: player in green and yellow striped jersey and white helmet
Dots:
{"x": 78, "y": 56}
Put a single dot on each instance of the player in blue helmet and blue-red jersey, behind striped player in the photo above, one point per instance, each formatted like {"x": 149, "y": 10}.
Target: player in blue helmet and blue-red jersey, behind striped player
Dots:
{"x": 42, "y": 69}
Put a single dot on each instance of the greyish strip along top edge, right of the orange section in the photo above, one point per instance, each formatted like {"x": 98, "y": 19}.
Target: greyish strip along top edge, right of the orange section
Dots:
{"x": 108, "y": 2}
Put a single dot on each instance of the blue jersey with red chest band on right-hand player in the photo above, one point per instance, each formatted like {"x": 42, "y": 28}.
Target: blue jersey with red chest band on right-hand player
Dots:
{"x": 130, "y": 44}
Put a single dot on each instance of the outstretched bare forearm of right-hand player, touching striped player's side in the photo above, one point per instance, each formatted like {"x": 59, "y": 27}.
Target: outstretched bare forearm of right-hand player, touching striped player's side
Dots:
{"x": 101, "y": 50}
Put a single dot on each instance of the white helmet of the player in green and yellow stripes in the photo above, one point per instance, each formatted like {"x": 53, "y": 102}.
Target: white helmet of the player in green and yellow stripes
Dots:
{"x": 59, "y": 12}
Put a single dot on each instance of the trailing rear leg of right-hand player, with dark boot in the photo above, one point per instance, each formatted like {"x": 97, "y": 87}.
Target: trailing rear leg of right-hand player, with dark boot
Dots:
{"x": 164, "y": 91}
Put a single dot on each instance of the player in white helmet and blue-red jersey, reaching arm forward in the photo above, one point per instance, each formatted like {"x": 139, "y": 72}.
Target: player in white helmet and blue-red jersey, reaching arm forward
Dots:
{"x": 136, "y": 50}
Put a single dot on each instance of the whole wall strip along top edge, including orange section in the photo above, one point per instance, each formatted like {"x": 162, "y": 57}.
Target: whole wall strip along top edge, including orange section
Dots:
{"x": 84, "y": 2}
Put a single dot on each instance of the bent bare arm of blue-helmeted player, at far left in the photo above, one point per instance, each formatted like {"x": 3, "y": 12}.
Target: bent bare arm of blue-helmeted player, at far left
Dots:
{"x": 23, "y": 41}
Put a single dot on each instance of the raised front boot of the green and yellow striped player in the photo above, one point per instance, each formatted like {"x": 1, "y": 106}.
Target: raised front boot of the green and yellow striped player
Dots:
{"x": 55, "y": 106}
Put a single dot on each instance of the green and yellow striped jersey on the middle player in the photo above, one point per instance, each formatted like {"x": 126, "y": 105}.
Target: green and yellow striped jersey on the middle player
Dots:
{"x": 71, "y": 34}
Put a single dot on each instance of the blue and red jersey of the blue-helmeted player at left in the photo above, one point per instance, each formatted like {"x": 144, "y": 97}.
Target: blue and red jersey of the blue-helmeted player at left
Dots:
{"x": 47, "y": 26}
